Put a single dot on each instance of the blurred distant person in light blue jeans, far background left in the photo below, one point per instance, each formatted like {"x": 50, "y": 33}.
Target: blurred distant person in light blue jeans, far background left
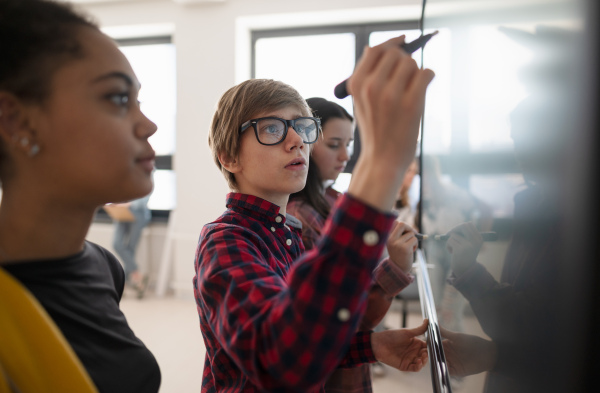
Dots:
{"x": 128, "y": 232}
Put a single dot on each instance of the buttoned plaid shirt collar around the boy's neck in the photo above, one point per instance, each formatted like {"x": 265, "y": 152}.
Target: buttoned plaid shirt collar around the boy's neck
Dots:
{"x": 260, "y": 209}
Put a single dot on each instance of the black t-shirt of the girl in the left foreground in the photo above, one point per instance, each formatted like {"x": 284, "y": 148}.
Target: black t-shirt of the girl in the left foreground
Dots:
{"x": 82, "y": 293}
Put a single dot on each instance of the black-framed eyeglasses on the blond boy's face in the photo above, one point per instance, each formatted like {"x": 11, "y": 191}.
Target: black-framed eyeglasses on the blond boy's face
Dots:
{"x": 273, "y": 130}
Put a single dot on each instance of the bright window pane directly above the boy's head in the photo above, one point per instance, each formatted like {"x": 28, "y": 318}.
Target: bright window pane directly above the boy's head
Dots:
{"x": 312, "y": 64}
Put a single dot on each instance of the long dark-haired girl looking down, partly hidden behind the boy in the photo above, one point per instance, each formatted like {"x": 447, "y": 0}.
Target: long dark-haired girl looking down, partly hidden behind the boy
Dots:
{"x": 312, "y": 206}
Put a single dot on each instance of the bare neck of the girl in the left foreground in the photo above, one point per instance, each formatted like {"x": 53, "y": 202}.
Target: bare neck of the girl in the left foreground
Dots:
{"x": 32, "y": 228}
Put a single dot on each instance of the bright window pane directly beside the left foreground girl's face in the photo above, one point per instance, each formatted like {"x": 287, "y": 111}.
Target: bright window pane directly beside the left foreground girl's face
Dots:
{"x": 154, "y": 66}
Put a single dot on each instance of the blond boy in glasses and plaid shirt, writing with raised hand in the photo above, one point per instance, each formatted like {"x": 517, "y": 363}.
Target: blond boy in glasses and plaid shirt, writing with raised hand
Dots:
{"x": 274, "y": 318}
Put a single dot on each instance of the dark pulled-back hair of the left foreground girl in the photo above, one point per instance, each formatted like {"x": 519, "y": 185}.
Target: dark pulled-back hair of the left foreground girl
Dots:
{"x": 37, "y": 37}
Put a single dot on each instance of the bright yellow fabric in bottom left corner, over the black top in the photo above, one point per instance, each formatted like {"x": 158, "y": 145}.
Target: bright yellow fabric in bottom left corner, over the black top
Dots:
{"x": 34, "y": 355}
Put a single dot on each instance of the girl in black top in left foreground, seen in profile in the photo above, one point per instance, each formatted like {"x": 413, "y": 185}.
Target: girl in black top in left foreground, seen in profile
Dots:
{"x": 72, "y": 138}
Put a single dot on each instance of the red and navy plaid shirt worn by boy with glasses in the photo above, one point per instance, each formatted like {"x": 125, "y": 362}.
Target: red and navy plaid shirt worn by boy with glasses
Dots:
{"x": 274, "y": 318}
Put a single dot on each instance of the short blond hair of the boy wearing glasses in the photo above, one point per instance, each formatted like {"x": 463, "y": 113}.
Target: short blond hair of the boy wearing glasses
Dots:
{"x": 242, "y": 103}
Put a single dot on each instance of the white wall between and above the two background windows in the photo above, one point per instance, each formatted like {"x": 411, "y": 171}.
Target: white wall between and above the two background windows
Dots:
{"x": 213, "y": 45}
